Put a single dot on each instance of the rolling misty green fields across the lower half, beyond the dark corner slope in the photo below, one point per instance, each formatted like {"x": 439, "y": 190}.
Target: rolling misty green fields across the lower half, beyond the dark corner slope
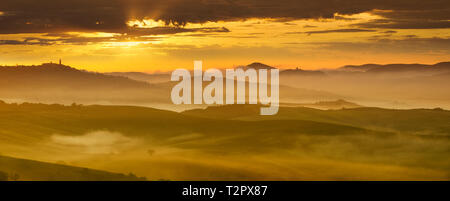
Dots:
{"x": 233, "y": 142}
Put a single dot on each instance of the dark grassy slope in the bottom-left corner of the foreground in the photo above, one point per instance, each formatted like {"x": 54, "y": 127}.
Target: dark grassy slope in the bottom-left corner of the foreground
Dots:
{"x": 30, "y": 170}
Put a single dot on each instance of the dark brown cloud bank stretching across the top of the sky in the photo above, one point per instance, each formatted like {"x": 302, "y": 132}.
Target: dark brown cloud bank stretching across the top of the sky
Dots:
{"x": 55, "y": 16}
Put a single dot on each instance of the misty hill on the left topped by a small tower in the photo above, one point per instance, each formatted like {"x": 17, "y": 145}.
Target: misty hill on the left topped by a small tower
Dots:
{"x": 63, "y": 84}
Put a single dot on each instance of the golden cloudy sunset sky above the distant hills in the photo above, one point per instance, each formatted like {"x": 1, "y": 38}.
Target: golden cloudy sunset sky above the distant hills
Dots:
{"x": 162, "y": 35}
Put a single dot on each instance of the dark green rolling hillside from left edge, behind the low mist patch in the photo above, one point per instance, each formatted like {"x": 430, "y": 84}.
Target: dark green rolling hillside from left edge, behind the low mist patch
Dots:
{"x": 26, "y": 124}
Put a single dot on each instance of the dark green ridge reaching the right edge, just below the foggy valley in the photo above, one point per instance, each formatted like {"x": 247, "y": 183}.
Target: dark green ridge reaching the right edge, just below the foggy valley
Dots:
{"x": 417, "y": 121}
